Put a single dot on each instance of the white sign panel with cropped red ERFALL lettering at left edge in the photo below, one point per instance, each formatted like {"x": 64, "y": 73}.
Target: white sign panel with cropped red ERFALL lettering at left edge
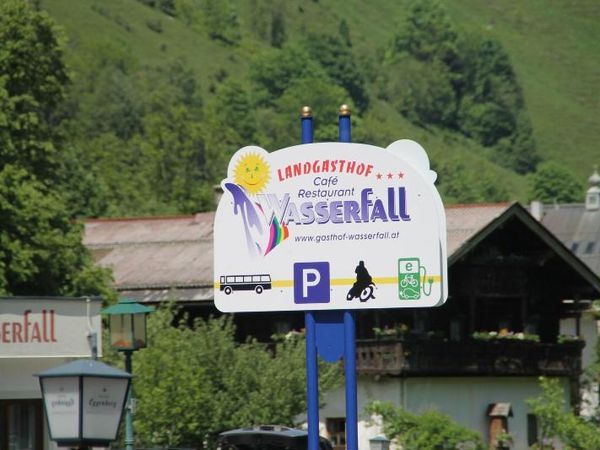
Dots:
{"x": 47, "y": 327}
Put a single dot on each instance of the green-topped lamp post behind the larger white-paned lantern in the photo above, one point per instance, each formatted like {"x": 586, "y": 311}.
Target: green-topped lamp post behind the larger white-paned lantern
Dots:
{"x": 127, "y": 322}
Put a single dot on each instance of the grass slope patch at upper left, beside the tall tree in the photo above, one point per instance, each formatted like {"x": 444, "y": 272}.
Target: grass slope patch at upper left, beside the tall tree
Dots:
{"x": 88, "y": 23}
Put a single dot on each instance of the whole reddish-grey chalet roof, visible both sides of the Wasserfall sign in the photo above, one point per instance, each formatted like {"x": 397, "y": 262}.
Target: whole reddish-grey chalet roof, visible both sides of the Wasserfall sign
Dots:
{"x": 155, "y": 258}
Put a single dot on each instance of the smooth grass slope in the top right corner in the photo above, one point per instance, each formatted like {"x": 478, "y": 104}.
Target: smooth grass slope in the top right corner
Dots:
{"x": 554, "y": 46}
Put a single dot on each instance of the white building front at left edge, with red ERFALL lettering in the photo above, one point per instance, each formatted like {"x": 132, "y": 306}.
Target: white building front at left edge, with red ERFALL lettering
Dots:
{"x": 37, "y": 334}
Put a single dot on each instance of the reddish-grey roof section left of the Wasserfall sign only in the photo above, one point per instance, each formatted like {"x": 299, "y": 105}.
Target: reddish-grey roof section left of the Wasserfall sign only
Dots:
{"x": 155, "y": 254}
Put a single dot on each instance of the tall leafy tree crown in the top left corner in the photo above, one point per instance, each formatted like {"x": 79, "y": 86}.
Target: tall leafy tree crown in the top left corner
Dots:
{"x": 32, "y": 80}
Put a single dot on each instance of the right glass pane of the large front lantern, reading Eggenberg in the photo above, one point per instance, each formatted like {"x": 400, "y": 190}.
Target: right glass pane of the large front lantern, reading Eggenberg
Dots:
{"x": 103, "y": 400}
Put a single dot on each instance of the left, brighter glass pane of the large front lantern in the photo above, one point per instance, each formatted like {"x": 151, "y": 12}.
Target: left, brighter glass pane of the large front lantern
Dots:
{"x": 61, "y": 399}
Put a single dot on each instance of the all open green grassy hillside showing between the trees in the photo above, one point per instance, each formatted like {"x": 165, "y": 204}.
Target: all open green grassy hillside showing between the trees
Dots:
{"x": 553, "y": 47}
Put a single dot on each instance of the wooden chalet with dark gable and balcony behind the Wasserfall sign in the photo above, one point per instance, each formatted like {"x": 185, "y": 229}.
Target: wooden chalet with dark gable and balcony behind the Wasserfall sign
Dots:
{"x": 519, "y": 307}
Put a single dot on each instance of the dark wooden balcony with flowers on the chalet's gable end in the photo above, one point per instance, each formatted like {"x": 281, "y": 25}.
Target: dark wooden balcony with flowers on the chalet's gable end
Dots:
{"x": 470, "y": 357}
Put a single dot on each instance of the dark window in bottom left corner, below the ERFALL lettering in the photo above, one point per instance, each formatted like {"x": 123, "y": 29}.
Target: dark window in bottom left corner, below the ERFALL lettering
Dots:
{"x": 21, "y": 425}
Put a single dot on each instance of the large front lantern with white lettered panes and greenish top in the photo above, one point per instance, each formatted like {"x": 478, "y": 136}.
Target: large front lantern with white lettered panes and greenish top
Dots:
{"x": 84, "y": 402}
